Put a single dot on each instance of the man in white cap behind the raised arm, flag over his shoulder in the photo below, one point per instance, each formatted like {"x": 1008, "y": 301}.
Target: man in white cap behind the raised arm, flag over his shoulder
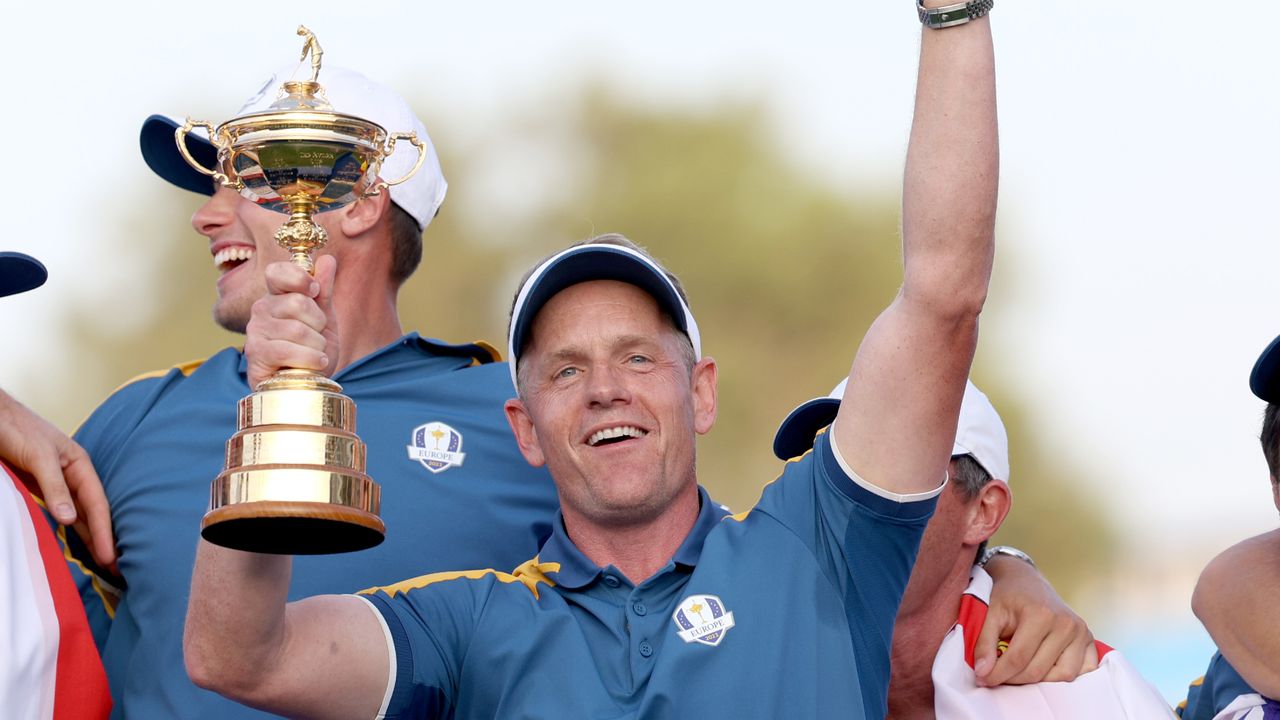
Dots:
{"x": 945, "y": 640}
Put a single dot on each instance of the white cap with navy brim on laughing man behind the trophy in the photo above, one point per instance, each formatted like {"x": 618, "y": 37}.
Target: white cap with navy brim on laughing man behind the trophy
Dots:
{"x": 350, "y": 94}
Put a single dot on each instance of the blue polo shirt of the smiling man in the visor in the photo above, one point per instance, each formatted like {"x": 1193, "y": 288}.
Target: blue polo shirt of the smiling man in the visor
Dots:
{"x": 784, "y": 612}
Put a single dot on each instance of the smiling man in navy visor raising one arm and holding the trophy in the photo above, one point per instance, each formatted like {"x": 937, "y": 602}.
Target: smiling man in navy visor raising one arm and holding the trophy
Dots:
{"x": 647, "y": 601}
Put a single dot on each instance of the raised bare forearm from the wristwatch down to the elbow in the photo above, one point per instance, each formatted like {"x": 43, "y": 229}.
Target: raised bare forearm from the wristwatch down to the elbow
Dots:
{"x": 953, "y": 167}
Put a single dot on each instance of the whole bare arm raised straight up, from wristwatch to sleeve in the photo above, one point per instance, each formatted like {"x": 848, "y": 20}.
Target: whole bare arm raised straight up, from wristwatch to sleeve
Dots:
{"x": 899, "y": 416}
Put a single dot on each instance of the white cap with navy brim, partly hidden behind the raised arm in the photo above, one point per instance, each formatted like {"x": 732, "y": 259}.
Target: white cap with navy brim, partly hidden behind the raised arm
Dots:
{"x": 980, "y": 432}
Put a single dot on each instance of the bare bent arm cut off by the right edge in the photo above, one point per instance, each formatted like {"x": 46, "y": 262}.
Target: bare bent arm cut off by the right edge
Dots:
{"x": 1235, "y": 601}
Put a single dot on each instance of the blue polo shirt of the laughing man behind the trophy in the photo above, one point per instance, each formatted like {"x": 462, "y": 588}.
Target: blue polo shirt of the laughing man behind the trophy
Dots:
{"x": 159, "y": 441}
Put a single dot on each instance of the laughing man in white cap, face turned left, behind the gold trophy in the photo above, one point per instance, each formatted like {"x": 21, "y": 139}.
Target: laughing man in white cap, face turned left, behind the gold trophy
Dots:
{"x": 162, "y": 439}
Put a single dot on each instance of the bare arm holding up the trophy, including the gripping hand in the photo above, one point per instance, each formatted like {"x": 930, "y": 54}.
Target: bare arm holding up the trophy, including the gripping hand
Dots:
{"x": 319, "y": 658}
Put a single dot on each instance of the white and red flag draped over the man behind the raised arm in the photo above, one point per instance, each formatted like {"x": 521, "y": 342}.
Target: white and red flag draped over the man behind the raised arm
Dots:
{"x": 1114, "y": 691}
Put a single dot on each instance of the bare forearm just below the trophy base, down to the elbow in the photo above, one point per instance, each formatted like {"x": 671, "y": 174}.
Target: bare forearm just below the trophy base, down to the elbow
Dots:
{"x": 236, "y": 618}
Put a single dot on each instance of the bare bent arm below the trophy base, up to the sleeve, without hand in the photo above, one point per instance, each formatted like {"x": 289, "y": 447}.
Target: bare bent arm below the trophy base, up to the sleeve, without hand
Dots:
{"x": 323, "y": 657}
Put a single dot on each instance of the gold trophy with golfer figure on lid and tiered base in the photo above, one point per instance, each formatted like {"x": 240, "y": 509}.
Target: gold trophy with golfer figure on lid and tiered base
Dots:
{"x": 295, "y": 480}
